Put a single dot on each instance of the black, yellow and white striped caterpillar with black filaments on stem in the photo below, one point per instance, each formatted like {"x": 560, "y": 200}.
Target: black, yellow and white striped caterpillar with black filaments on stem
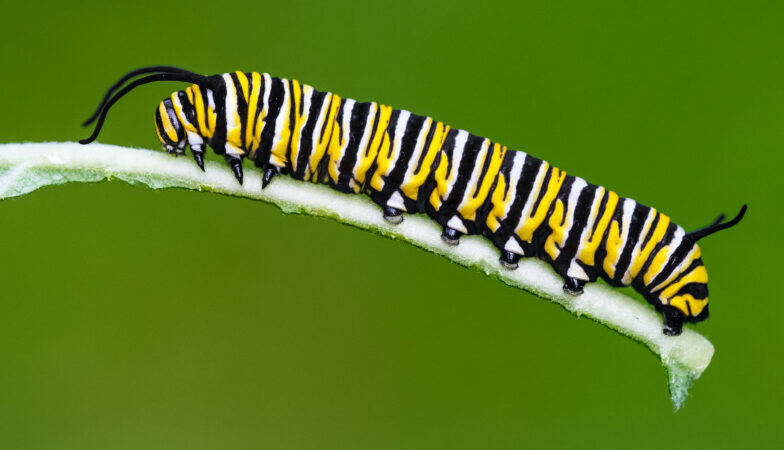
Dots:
{"x": 407, "y": 163}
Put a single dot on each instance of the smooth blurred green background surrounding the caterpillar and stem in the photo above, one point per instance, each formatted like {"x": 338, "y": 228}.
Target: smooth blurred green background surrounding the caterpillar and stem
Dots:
{"x": 139, "y": 319}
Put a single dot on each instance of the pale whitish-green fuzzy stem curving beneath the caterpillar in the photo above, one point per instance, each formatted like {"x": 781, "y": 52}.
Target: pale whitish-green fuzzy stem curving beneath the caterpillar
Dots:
{"x": 26, "y": 167}
